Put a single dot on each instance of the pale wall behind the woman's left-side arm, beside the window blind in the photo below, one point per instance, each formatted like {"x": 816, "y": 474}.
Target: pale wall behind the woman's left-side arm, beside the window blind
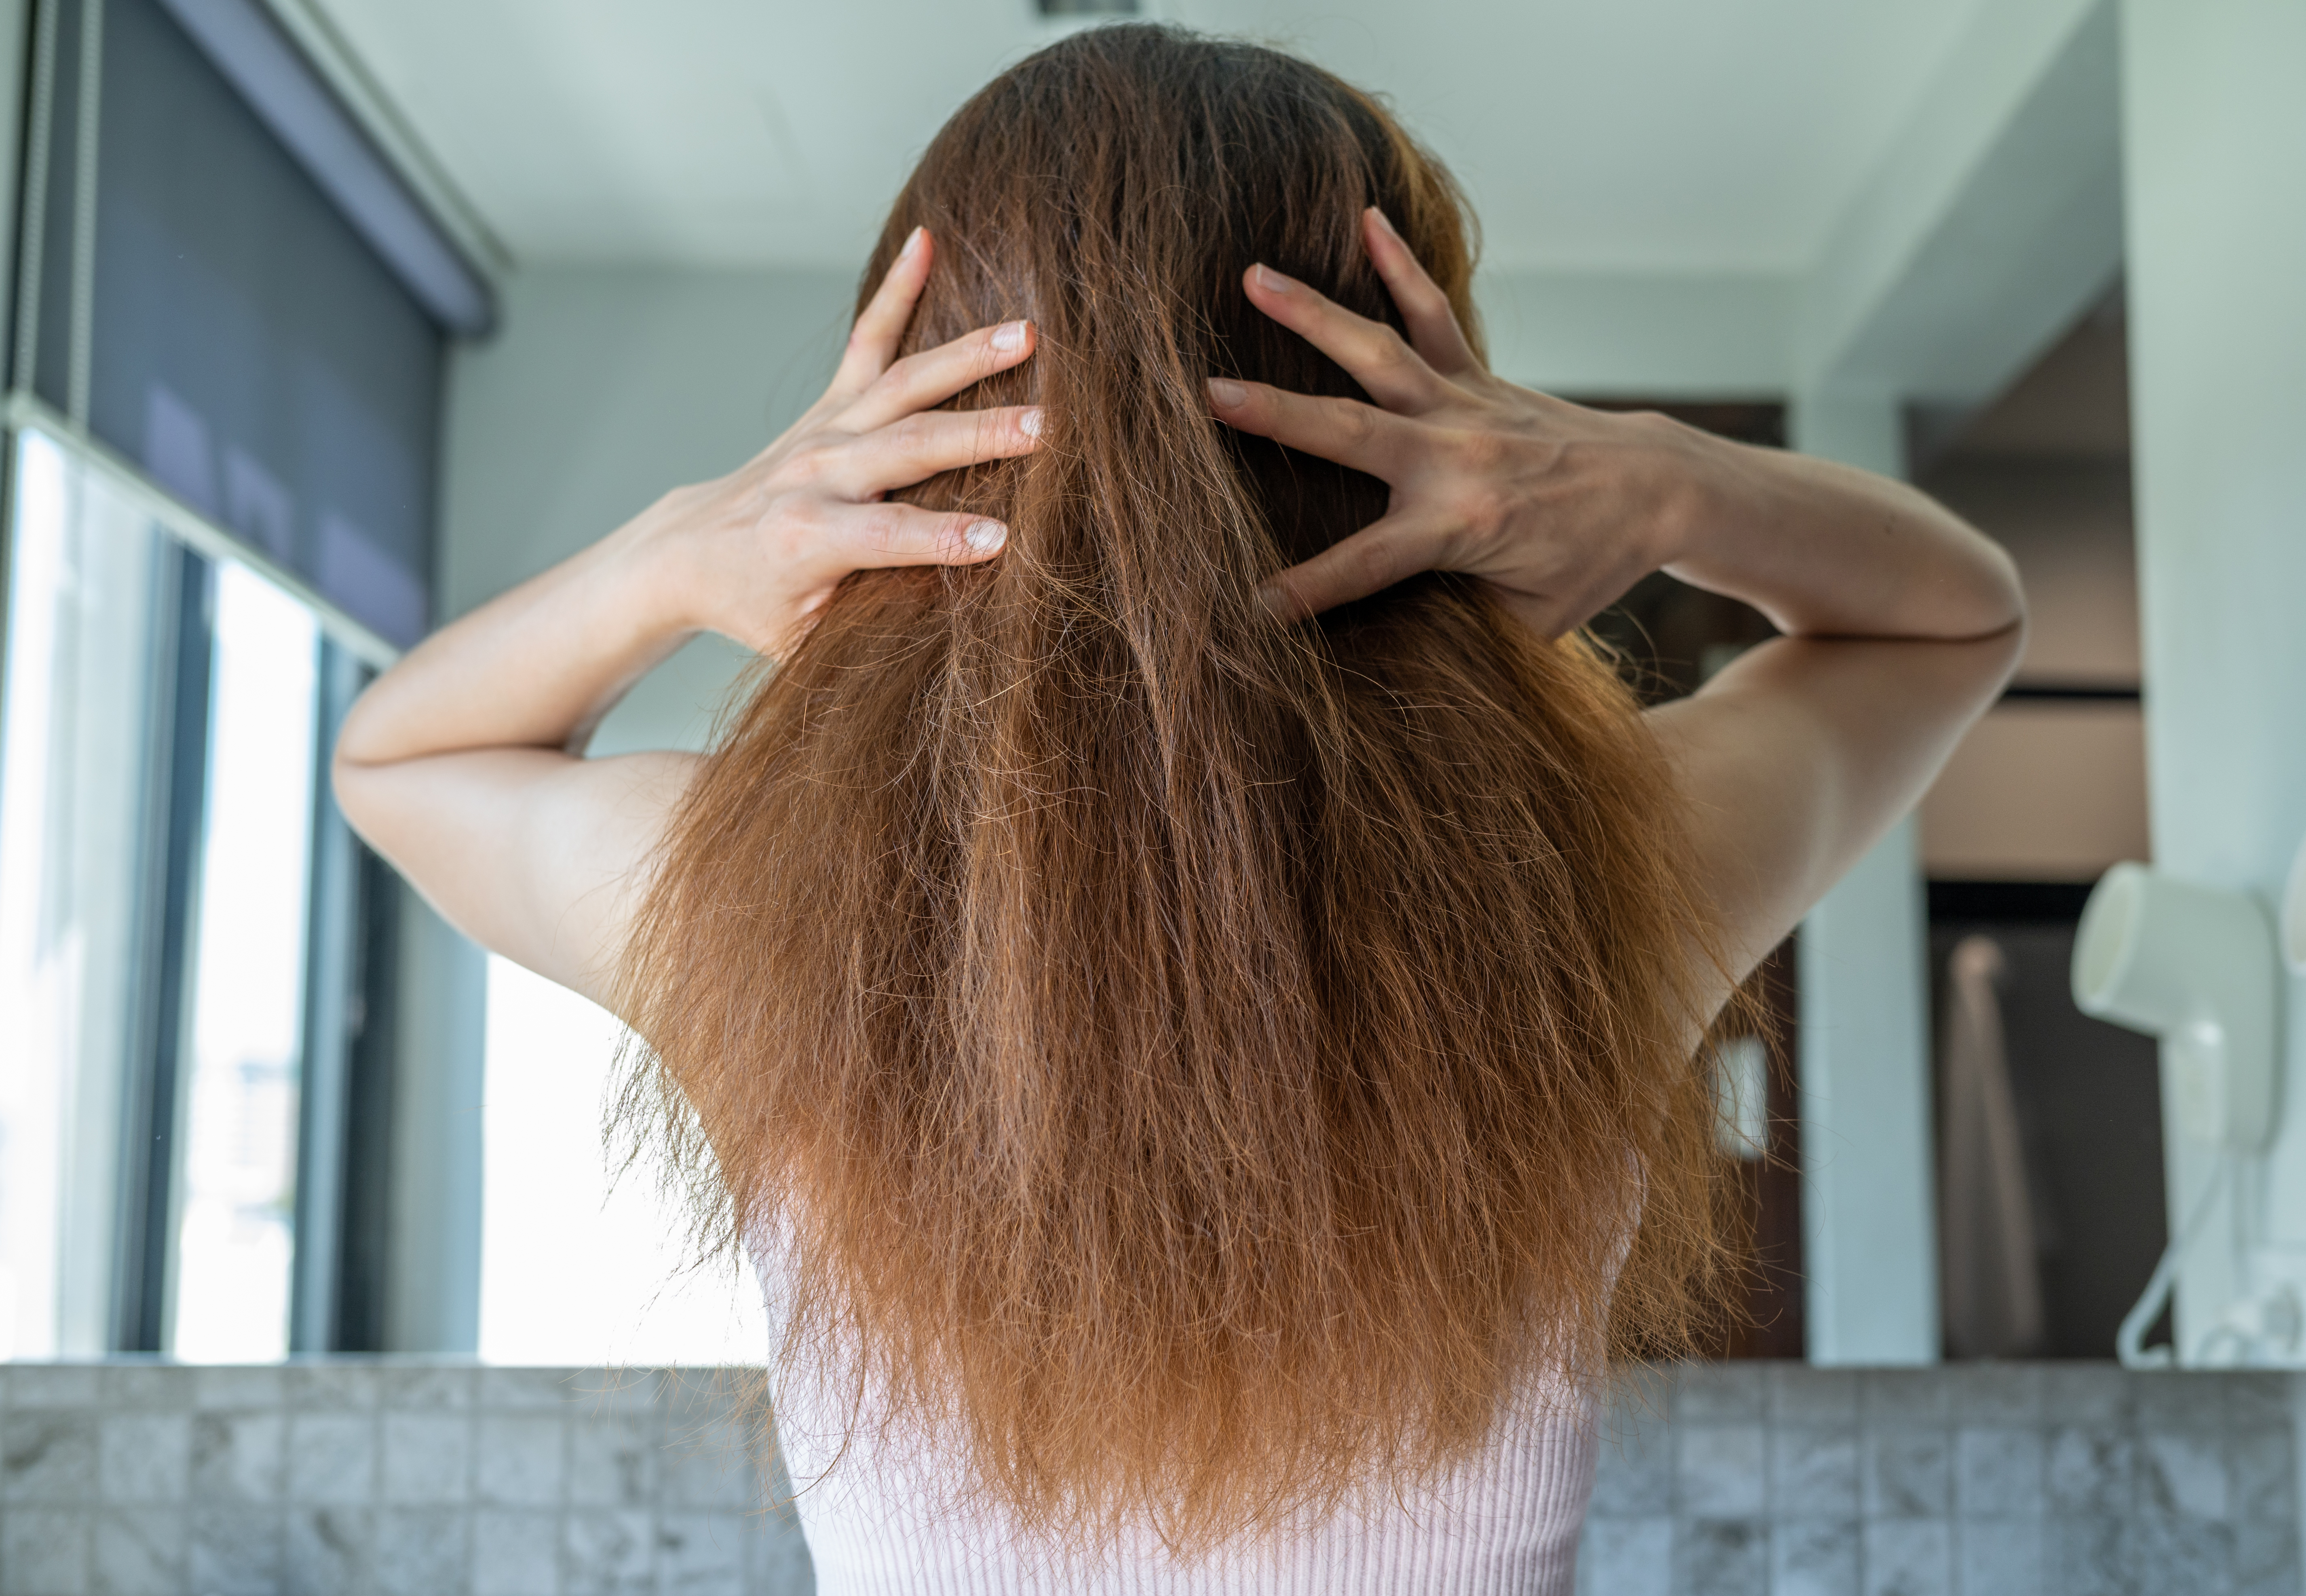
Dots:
{"x": 603, "y": 391}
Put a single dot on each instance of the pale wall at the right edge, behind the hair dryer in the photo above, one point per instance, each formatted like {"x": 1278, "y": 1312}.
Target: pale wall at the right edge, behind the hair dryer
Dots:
{"x": 2215, "y": 128}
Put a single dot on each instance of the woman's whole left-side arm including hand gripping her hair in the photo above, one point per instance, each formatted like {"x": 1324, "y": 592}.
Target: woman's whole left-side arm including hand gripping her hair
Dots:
{"x": 465, "y": 762}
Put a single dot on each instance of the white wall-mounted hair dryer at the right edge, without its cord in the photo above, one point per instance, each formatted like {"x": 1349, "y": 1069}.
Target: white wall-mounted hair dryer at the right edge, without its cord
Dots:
{"x": 2192, "y": 965}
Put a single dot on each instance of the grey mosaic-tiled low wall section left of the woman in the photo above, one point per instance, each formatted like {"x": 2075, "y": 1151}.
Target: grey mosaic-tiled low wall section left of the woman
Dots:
{"x": 382, "y": 1480}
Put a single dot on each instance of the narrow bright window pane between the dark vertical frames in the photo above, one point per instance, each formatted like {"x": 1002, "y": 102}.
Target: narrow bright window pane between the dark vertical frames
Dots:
{"x": 236, "y": 1230}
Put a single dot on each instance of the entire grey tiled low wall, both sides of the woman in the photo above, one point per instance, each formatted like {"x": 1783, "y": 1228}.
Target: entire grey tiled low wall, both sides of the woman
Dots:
{"x": 423, "y": 1480}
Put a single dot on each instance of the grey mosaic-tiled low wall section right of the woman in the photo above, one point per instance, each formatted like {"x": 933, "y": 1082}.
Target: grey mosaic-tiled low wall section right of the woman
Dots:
{"x": 1987, "y": 1480}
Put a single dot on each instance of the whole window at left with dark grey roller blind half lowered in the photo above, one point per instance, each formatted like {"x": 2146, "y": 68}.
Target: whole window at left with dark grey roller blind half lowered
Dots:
{"x": 225, "y": 389}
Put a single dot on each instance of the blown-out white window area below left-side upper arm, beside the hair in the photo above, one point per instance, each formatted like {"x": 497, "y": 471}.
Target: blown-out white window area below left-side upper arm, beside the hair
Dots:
{"x": 571, "y": 1270}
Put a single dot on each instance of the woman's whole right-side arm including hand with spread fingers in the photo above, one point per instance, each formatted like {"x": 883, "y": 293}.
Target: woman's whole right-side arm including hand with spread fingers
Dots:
{"x": 1901, "y": 622}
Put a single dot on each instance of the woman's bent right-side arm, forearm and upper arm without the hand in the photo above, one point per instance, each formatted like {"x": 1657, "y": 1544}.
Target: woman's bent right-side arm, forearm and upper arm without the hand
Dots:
{"x": 1901, "y": 622}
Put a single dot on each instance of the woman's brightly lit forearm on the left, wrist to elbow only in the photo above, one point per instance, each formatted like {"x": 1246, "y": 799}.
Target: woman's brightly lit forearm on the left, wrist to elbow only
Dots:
{"x": 534, "y": 668}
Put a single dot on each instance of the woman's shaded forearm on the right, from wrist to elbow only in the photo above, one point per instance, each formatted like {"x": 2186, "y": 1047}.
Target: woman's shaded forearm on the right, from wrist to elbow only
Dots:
{"x": 1828, "y": 550}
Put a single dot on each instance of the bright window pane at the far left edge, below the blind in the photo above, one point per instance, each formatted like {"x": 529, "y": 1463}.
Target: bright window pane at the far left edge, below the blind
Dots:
{"x": 75, "y": 753}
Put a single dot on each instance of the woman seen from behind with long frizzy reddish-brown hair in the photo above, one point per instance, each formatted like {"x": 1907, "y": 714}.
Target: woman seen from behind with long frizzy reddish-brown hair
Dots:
{"x": 1186, "y": 974}
